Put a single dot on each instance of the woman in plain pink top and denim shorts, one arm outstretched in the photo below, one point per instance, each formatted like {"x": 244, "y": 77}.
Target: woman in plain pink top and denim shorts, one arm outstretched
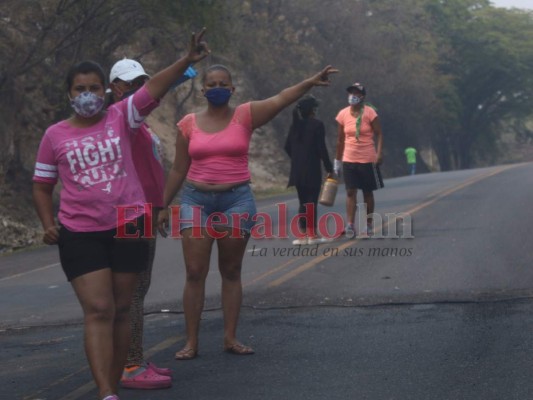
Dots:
{"x": 216, "y": 203}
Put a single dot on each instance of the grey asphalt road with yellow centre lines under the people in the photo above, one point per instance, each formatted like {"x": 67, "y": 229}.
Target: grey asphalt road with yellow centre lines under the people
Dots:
{"x": 444, "y": 314}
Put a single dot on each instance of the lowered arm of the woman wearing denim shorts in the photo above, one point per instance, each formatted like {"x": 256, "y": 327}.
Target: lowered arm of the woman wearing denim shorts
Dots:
{"x": 175, "y": 179}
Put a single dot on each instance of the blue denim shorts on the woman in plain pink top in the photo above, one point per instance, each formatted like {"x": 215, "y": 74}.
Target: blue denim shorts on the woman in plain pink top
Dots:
{"x": 233, "y": 208}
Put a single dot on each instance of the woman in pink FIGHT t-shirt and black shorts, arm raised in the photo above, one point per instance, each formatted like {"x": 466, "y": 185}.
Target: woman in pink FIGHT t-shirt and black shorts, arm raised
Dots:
{"x": 90, "y": 153}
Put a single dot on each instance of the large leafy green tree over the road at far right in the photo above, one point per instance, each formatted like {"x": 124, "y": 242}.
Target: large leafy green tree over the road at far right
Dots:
{"x": 491, "y": 64}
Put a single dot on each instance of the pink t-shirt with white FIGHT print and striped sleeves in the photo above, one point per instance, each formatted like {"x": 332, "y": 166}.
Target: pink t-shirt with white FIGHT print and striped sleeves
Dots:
{"x": 95, "y": 165}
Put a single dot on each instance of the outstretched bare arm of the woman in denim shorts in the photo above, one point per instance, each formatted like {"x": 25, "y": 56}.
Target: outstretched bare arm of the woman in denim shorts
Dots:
{"x": 264, "y": 110}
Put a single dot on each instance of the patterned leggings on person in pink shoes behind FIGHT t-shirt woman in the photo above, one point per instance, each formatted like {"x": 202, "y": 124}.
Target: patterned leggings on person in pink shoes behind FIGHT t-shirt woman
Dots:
{"x": 135, "y": 352}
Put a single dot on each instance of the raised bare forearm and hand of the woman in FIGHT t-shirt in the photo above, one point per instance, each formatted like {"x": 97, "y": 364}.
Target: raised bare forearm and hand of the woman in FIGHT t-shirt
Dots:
{"x": 161, "y": 82}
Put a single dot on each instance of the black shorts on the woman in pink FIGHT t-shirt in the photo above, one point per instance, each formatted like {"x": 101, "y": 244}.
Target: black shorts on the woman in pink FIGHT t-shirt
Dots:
{"x": 84, "y": 252}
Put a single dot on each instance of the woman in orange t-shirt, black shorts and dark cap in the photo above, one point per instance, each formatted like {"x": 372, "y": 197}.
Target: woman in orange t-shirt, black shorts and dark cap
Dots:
{"x": 358, "y": 125}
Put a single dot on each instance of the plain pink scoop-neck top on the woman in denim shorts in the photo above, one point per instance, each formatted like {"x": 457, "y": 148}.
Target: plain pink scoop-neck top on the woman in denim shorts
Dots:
{"x": 219, "y": 157}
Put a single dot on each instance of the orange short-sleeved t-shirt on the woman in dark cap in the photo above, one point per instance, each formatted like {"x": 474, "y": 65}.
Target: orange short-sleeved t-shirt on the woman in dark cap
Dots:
{"x": 362, "y": 150}
